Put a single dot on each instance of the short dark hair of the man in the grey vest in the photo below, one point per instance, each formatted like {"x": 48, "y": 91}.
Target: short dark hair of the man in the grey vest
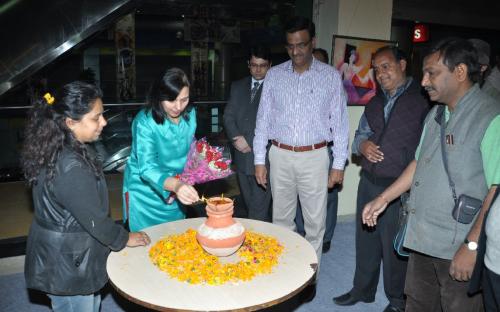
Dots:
{"x": 455, "y": 51}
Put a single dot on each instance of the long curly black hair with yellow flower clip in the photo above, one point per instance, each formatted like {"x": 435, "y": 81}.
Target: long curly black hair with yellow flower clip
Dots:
{"x": 46, "y": 131}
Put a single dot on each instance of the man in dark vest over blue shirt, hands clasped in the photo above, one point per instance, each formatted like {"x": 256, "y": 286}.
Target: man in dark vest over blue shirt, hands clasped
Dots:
{"x": 386, "y": 140}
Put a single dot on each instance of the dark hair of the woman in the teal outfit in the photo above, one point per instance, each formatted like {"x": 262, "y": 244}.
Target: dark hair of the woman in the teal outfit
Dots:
{"x": 166, "y": 88}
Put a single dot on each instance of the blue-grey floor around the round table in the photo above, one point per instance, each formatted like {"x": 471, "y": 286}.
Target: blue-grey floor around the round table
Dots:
{"x": 337, "y": 269}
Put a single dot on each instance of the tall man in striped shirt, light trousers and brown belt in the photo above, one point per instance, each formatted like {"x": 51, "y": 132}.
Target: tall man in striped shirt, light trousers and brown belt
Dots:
{"x": 302, "y": 108}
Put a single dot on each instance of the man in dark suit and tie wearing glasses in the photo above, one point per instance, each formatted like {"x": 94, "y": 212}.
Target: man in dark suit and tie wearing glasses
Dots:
{"x": 239, "y": 123}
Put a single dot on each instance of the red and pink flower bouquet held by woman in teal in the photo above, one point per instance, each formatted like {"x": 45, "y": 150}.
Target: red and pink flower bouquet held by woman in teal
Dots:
{"x": 204, "y": 163}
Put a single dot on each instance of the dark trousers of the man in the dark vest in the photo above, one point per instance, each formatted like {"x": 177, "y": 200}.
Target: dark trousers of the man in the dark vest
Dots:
{"x": 375, "y": 246}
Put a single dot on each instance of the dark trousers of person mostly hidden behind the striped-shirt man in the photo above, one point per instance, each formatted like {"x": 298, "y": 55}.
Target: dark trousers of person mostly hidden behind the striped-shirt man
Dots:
{"x": 331, "y": 215}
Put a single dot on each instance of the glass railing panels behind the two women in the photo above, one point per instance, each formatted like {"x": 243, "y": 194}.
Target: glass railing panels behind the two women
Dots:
{"x": 114, "y": 145}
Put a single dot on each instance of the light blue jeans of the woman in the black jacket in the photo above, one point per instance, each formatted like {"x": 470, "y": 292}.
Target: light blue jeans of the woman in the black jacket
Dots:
{"x": 78, "y": 303}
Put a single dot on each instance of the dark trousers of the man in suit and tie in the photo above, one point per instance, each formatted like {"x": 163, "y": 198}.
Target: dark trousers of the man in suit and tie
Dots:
{"x": 257, "y": 199}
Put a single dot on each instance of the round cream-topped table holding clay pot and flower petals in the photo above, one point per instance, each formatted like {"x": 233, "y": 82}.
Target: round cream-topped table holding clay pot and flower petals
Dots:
{"x": 133, "y": 274}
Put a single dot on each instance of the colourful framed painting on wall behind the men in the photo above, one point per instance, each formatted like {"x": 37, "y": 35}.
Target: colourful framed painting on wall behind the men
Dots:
{"x": 352, "y": 57}
